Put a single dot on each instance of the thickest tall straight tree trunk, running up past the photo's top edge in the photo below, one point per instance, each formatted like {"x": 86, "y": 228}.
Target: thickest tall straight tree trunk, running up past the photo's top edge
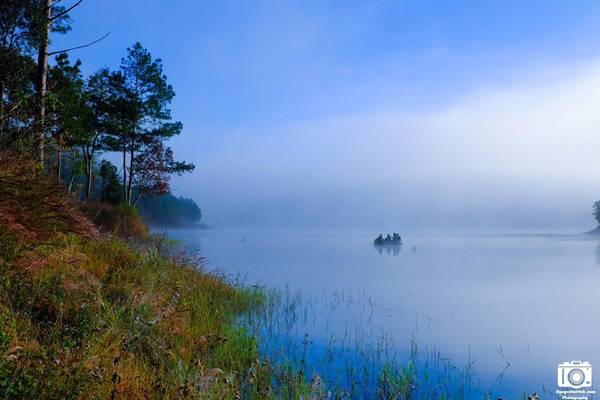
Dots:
{"x": 40, "y": 83}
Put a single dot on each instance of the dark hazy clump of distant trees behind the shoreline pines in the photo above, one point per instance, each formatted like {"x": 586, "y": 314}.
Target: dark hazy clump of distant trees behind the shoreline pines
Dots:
{"x": 170, "y": 211}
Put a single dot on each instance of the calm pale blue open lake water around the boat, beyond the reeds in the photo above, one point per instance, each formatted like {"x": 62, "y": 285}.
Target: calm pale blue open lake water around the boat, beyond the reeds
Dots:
{"x": 528, "y": 301}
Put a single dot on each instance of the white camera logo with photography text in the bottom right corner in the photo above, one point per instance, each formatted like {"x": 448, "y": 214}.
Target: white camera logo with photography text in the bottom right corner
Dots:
{"x": 575, "y": 380}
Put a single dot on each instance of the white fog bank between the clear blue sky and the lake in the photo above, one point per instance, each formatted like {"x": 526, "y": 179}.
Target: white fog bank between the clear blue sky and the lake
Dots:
{"x": 516, "y": 158}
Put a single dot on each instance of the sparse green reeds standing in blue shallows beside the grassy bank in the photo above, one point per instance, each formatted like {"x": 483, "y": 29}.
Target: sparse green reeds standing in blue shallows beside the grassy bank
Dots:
{"x": 354, "y": 361}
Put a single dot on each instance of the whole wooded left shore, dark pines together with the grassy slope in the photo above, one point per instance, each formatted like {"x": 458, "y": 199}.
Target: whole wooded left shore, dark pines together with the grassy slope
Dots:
{"x": 91, "y": 304}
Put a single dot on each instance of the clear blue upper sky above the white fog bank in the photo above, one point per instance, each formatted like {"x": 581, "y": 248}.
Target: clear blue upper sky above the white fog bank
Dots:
{"x": 236, "y": 62}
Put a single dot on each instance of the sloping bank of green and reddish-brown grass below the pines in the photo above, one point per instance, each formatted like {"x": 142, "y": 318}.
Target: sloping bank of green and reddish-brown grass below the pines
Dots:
{"x": 85, "y": 314}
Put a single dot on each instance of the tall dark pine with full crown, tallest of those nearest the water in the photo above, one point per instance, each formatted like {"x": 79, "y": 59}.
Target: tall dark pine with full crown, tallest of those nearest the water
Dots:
{"x": 142, "y": 114}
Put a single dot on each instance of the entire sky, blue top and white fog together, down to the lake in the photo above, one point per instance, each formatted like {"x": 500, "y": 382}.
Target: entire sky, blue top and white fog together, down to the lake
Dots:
{"x": 295, "y": 108}
